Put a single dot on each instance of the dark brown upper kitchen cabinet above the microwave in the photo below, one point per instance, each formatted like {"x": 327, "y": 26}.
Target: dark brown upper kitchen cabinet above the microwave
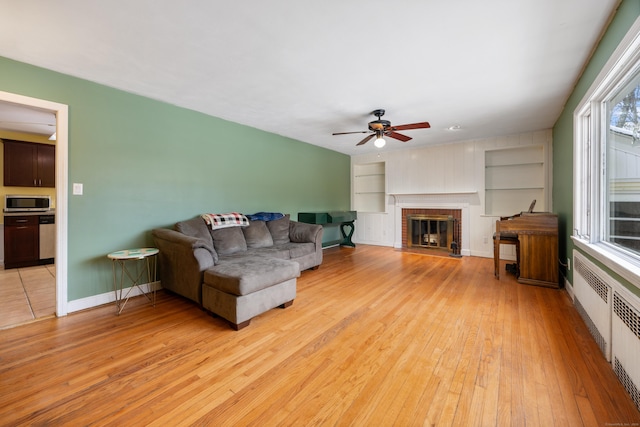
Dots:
{"x": 27, "y": 164}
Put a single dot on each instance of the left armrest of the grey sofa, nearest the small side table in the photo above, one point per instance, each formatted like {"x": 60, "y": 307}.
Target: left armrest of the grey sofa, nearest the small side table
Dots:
{"x": 183, "y": 260}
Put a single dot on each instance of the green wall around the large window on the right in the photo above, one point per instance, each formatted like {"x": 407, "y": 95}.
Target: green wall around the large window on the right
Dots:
{"x": 626, "y": 15}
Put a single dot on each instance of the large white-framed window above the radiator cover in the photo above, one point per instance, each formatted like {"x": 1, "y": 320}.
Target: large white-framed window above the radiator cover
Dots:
{"x": 607, "y": 163}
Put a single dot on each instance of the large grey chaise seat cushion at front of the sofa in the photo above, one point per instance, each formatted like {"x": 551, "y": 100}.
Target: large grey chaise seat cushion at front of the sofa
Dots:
{"x": 243, "y": 275}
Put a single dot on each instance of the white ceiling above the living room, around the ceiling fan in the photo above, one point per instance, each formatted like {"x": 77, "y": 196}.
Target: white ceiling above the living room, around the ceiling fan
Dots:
{"x": 307, "y": 69}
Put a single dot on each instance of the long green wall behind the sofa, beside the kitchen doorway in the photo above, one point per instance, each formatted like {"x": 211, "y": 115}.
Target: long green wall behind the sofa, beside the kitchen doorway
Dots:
{"x": 147, "y": 164}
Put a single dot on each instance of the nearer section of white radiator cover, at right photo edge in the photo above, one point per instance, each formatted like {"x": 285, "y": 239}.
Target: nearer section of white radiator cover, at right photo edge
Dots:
{"x": 625, "y": 328}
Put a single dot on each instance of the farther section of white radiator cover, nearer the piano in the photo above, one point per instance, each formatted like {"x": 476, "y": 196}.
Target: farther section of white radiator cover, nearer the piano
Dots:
{"x": 593, "y": 300}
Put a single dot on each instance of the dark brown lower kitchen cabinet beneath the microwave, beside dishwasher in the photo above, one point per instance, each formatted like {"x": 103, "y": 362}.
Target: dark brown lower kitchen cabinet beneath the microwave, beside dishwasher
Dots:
{"x": 21, "y": 241}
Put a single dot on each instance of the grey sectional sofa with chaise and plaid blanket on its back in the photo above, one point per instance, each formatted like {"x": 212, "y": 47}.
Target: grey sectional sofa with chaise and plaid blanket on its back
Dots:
{"x": 235, "y": 267}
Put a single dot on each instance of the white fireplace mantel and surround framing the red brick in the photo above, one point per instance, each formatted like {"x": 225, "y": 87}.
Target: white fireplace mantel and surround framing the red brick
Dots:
{"x": 457, "y": 200}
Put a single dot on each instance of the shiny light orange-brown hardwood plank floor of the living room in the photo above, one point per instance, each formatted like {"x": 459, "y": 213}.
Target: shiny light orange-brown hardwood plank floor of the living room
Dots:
{"x": 375, "y": 337}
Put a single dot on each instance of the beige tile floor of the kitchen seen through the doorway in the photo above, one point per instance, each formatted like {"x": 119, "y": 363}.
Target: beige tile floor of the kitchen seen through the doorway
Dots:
{"x": 27, "y": 294}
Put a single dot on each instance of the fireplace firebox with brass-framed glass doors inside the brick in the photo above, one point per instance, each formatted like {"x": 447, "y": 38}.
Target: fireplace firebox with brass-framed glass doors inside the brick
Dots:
{"x": 430, "y": 231}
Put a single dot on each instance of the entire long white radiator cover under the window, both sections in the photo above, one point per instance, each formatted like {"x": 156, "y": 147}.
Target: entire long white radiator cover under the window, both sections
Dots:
{"x": 612, "y": 314}
